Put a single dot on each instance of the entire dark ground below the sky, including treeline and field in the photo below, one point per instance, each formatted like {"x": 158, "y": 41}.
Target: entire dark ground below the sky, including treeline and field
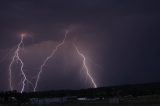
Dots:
{"x": 128, "y": 95}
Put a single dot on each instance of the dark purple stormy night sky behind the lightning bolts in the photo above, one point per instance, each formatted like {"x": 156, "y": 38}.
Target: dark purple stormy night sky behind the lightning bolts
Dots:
{"x": 120, "y": 39}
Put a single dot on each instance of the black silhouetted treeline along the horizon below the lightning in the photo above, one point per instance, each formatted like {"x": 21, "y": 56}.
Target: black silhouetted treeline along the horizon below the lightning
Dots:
{"x": 114, "y": 91}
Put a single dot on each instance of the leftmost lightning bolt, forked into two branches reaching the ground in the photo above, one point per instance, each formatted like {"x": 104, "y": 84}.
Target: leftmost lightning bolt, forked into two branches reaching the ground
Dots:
{"x": 18, "y": 59}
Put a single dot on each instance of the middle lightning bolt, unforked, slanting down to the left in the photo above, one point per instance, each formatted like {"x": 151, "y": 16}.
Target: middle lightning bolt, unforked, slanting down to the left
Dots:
{"x": 47, "y": 59}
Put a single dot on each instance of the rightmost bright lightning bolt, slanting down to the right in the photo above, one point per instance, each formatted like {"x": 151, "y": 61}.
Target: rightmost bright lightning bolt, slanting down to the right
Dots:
{"x": 85, "y": 67}
